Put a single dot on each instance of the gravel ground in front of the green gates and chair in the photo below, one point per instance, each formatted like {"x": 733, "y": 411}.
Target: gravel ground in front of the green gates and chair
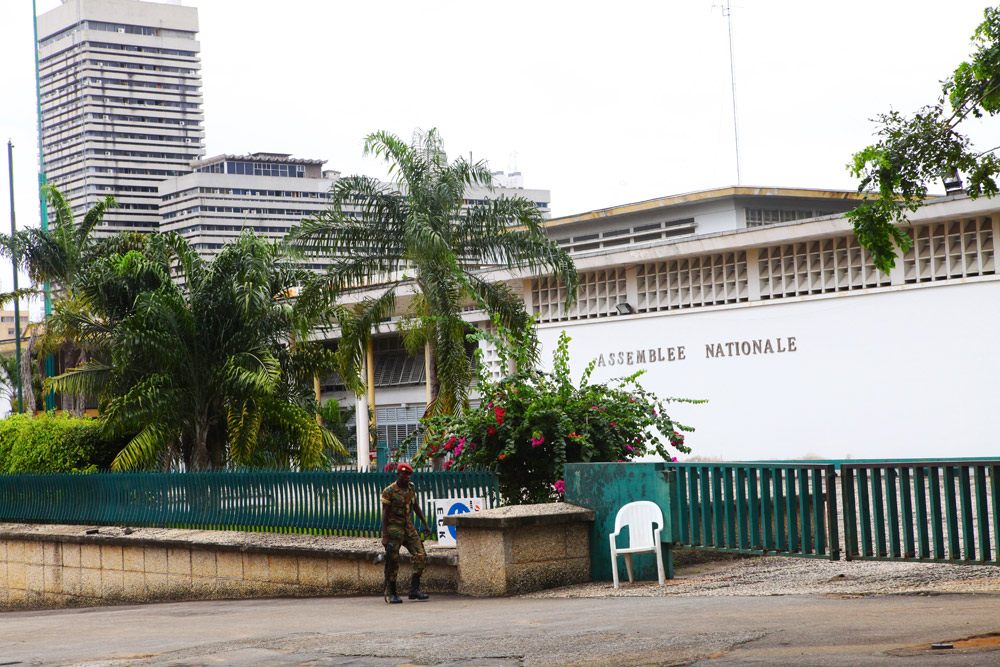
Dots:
{"x": 761, "y": 576}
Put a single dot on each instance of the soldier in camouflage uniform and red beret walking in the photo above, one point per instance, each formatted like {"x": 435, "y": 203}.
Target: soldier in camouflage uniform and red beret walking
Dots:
{"x": 399, "y": 502}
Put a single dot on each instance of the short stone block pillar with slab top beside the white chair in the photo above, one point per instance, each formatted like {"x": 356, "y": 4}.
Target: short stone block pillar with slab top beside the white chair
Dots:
{"x": 523, "y": 548}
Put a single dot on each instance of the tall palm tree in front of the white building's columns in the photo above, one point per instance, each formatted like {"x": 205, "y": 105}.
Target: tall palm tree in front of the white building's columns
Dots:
{"x": 417, "y": 231}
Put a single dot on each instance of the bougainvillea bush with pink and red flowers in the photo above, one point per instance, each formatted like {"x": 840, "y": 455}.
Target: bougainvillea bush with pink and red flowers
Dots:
{"x": 531, "y": 423}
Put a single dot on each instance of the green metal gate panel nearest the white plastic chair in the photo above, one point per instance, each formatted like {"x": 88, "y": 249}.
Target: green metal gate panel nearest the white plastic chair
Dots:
{"x": 773, "y": 509}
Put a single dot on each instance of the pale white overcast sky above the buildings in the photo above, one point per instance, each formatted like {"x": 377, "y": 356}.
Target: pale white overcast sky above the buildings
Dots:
{"x": 600, "y": 103}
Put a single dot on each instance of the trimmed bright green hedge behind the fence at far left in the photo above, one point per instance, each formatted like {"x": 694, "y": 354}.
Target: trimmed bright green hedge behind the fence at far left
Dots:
{"x": 50, "y": 443}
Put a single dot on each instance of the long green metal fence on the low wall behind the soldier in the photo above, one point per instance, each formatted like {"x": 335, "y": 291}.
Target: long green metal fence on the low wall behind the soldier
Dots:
{"x": 328, "y": 503}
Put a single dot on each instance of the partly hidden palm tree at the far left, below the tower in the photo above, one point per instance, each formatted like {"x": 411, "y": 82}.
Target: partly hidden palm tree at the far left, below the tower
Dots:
{"x": 53, "y": 258}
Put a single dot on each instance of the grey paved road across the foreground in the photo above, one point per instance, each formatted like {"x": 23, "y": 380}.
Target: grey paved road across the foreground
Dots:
{"x": 462, "y": 632}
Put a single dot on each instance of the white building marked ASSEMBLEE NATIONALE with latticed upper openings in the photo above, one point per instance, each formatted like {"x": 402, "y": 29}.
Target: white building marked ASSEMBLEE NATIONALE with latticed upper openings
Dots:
{"x": 800, "y": 345}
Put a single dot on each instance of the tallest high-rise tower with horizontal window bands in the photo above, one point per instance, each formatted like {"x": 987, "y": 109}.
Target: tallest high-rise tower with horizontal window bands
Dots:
{"x": 121, "y": 104}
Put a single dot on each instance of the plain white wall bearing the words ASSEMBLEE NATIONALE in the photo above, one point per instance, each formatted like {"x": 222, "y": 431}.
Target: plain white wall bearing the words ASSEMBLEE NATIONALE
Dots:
{"x": 894, "y": 374}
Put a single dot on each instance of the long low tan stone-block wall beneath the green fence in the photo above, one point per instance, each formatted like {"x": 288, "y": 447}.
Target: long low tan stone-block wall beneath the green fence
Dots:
{"x": 60, "y": 568}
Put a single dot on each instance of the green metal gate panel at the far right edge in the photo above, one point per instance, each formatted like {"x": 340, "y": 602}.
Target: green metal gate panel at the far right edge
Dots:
{"x": 934, "y": 511}
